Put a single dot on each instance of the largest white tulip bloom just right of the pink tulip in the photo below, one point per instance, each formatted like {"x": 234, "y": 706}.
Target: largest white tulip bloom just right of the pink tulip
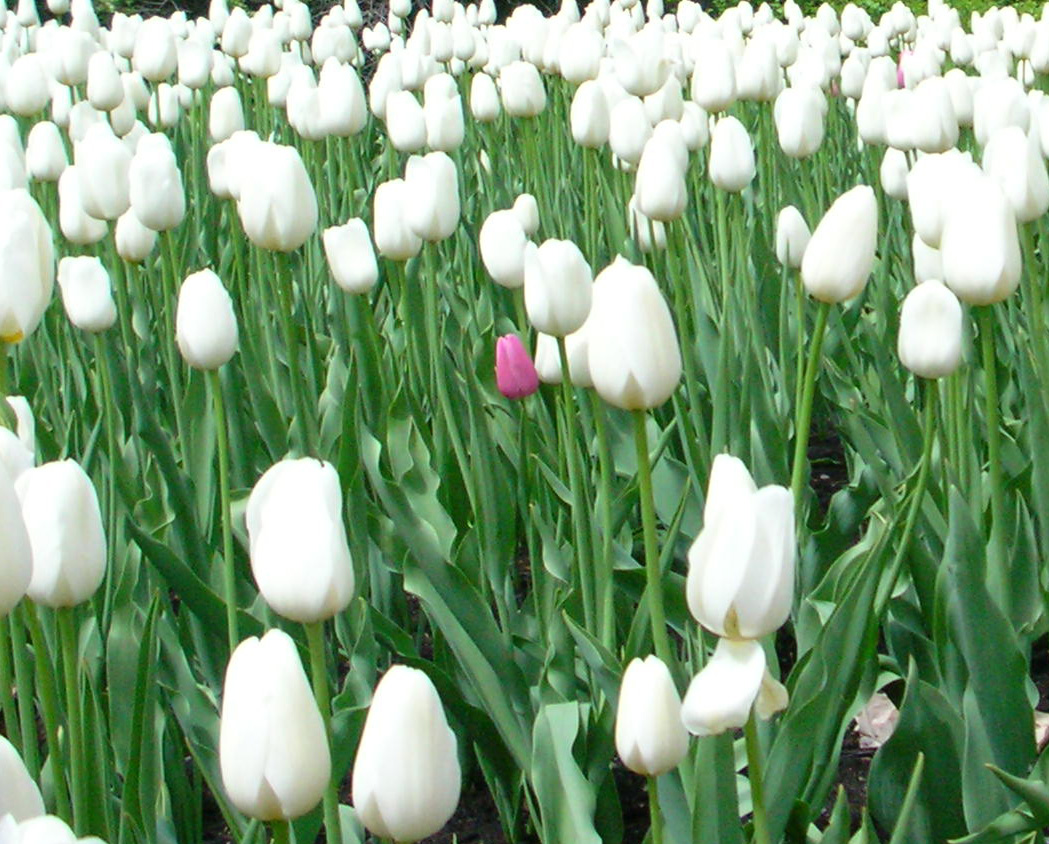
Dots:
{"x": 635, "y": 361}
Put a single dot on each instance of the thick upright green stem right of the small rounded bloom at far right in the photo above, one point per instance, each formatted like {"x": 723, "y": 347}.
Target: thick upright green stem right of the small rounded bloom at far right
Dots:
{"x": 997, "y": 576}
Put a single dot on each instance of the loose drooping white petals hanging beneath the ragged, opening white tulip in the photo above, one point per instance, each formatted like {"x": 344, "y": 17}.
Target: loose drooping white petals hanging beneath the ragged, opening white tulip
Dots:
{"x": 735, "y": 682}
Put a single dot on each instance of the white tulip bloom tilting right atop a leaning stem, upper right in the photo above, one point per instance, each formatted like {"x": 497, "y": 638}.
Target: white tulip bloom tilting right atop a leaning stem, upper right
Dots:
{"x": 829, "y": 273}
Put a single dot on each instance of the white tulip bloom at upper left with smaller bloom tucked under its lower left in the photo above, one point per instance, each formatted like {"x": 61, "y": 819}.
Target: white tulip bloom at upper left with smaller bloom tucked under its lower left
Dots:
{"x": 156, "y": 184}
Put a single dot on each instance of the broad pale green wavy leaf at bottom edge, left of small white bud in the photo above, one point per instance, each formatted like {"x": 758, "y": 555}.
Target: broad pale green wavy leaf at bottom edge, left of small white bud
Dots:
{"x": 567, "y": 799}
